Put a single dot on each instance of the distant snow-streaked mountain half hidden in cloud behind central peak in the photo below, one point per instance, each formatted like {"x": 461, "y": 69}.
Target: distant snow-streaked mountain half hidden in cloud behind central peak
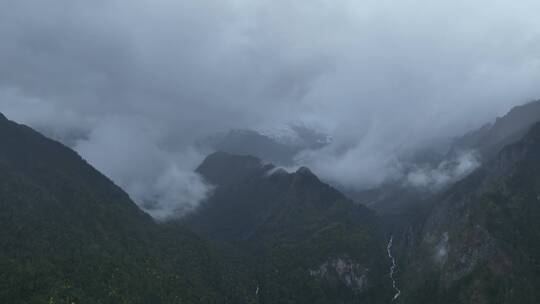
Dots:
{"x": 277, "y": 149}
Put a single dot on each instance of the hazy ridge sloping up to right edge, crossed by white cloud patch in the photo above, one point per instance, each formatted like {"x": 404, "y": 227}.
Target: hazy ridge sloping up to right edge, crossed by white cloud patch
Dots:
{"x": 433, "y": 169}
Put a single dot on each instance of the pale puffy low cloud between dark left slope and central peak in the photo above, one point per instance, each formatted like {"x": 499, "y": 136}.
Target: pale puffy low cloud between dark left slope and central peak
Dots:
{"x": 162, "y": 182}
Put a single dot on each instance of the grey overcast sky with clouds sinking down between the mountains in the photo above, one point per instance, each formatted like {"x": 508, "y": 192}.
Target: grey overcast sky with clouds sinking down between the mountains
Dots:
{"x": 132, "y": 83}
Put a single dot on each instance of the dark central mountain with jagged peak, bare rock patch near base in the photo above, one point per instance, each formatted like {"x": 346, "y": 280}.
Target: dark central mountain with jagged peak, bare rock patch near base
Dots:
{"x": 307, "y": 242}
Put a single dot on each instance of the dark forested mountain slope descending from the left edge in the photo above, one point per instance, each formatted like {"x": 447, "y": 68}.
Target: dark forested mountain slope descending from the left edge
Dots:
{"x": 69, "y": 235}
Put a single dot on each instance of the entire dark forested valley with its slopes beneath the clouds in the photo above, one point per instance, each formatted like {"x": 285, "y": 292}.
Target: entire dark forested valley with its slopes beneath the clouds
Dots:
{"x": 266, "y": 235}
